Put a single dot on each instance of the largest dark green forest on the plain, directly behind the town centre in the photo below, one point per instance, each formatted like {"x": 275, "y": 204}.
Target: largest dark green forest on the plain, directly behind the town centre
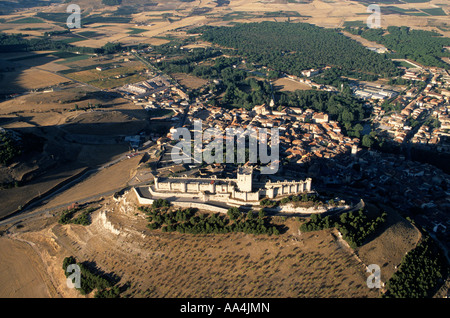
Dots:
{"x": 293, "y": 47}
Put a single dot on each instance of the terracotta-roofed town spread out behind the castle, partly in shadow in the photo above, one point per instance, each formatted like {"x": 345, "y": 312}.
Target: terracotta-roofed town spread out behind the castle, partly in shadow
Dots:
{"x": 312, "y": 146}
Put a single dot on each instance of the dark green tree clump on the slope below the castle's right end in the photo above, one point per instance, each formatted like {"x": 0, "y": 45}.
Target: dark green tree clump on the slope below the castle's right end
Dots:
{"x": 356, "y": 227}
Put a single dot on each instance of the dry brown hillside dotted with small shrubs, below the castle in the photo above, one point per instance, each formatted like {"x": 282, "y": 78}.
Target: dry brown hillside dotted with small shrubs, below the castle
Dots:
{"x": 179, "y": 265}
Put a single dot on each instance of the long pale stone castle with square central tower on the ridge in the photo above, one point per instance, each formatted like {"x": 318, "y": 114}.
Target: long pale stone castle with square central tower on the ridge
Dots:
{"x": 242, "y": 190}
